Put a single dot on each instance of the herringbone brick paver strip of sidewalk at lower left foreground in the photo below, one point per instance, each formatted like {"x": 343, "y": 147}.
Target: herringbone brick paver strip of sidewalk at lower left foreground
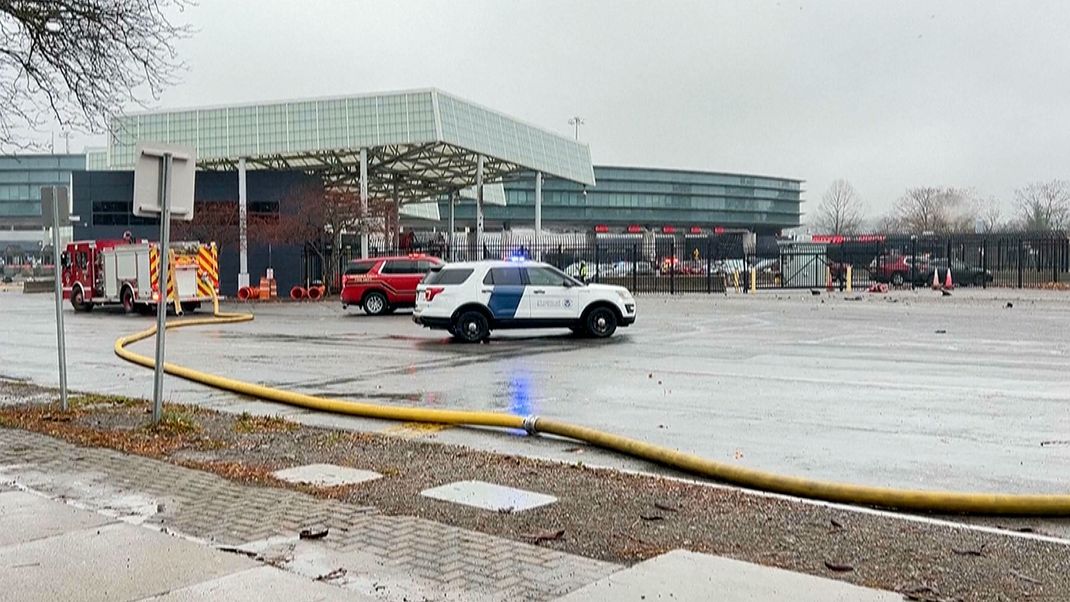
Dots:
{"x": 391, "y": 558}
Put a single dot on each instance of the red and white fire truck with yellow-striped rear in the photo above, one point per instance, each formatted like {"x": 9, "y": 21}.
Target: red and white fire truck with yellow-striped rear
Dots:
{"x": 126, "y": 272}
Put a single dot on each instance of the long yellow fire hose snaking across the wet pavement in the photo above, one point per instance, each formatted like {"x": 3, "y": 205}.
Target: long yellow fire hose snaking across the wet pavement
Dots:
{"x": 1041, "y": 505}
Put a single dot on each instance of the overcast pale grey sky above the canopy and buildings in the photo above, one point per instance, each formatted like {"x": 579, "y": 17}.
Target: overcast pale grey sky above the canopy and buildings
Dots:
{"x": 886, "y": 95}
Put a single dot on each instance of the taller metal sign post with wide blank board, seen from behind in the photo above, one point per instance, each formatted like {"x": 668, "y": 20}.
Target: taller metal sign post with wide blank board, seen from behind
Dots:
{"x": 163, "y": 187}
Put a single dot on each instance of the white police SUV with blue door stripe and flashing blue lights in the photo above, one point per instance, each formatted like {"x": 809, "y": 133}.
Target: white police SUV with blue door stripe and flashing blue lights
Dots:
{"x": 472, "y": 299}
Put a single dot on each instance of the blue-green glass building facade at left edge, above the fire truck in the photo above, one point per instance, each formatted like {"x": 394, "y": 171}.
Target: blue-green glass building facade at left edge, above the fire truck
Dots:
{"x": 22, "y": 178}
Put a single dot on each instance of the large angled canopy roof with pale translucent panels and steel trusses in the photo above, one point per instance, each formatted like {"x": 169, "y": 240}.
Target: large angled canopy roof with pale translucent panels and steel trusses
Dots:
{"x": 421, "y": 144}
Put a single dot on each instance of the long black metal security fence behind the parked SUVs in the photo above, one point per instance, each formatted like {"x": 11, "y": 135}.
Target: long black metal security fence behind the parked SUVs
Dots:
{"x": 674, "y": 265}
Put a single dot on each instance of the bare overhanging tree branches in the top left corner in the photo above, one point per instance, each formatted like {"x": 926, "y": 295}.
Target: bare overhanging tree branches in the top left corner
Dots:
{"x": 79, "y": 61}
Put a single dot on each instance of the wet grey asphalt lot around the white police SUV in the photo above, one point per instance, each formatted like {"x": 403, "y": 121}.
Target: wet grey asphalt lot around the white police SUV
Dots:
{"x": 909, "y": 390}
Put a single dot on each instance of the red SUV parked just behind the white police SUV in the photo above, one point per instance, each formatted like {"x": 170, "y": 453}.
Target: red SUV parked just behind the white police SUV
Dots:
{"x": 380, "y": 286}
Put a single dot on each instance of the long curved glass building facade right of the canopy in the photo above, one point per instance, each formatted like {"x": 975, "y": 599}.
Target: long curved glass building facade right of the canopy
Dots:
{"x": 651, "y": 199}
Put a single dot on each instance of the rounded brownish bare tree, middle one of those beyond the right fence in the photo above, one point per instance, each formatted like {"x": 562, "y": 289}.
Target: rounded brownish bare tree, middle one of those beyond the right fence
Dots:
{"x": 929, "y": 209}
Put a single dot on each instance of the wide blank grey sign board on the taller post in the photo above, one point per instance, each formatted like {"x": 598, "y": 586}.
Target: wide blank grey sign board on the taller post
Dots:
{"x": 149, "y": 180}
